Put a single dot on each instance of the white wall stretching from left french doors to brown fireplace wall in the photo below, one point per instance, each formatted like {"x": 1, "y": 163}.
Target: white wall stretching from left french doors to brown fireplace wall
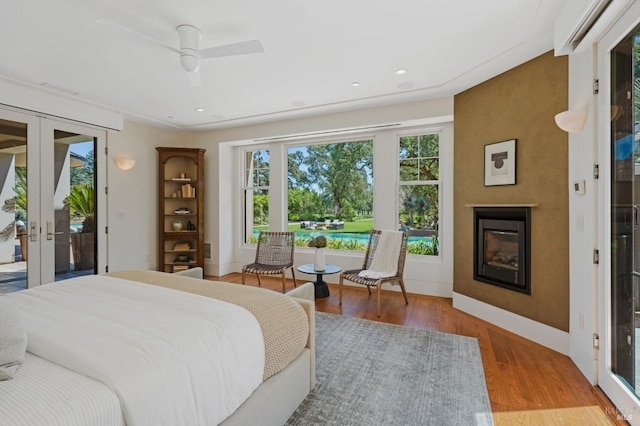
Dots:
{"x": 133, "y": 198}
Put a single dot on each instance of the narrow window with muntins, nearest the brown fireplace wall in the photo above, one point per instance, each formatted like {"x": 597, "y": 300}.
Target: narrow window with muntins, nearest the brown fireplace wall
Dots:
{"x": 419, "y": 192}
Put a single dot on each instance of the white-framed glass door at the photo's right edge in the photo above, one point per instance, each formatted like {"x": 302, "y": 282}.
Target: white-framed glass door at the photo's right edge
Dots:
{"x": 619, "y": 152}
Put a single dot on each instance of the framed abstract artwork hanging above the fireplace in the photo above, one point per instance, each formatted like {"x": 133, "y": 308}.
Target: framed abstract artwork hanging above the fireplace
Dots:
{"x": 500, "y": 163}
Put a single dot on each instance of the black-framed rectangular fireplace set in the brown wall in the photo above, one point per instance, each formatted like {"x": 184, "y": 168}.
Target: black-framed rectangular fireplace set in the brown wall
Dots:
{"x": 502, "y": 247}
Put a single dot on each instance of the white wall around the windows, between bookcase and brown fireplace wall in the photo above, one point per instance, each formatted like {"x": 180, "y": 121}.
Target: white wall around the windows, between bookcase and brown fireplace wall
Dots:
{"x": 423, "y": 276}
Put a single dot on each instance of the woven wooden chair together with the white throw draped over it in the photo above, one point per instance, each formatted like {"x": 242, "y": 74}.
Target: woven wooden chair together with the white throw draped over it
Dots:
{"x": 379, "y": 267}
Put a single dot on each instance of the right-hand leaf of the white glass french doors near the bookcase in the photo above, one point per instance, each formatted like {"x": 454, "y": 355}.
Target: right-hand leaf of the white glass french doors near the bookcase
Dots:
{"x": 69, "y": 218}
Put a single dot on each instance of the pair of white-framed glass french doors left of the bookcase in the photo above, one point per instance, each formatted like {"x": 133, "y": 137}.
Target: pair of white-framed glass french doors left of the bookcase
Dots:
{"x": 51, "y": 228}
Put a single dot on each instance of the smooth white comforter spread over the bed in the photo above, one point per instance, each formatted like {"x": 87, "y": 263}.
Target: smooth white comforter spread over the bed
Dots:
{"x": 171, "y": 357}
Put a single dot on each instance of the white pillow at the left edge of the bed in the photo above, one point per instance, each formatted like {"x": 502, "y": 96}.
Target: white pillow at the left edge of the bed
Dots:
{"x": 13, "y": 338}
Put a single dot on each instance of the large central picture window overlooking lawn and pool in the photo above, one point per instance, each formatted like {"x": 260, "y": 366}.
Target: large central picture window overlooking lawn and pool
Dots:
{"x": 330, "y": 193}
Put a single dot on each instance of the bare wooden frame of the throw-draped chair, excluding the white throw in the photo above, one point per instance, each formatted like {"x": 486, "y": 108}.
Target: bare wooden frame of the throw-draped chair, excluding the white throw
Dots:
{"x": 396, "y": 279}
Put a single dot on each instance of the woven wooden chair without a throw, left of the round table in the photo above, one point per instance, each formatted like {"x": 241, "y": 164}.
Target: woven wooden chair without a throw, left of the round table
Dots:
{"x": 274, "y": 254}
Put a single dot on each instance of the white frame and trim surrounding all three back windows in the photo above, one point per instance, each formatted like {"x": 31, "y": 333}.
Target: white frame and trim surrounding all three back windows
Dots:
{"x": 385, "y": 183}
